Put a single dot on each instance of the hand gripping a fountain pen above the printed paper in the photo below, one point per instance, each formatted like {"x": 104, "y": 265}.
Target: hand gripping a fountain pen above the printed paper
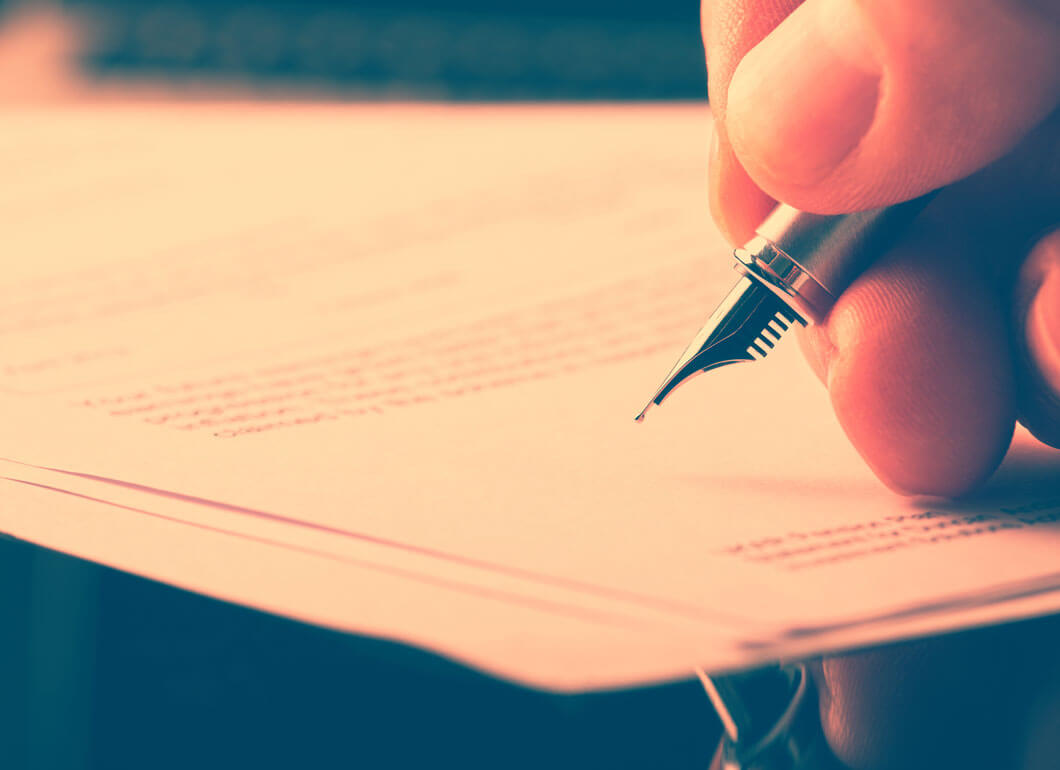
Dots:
{"x": 838, "y": 106}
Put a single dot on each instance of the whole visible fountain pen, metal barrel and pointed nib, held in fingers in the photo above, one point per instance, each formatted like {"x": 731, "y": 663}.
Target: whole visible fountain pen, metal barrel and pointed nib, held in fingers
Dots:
{"x": 792, "y": 270}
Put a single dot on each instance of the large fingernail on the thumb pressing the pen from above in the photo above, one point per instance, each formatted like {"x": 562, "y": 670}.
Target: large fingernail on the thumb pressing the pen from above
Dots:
{"x": 802, "y": 100}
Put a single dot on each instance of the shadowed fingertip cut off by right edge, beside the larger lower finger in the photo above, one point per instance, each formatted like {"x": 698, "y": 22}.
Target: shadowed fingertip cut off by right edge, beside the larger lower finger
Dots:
{"x": 1038, "y": 341}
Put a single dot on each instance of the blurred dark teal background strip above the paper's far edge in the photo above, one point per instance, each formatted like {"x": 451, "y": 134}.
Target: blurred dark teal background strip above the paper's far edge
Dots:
{"x": 464, "y": 50}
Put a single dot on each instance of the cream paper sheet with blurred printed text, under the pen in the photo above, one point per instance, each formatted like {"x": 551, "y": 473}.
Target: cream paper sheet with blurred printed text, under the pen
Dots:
{"x": 377, "y": 369}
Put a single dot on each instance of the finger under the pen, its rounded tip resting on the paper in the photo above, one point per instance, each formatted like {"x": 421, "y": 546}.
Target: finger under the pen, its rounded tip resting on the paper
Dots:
{"x": 918, "y": 364}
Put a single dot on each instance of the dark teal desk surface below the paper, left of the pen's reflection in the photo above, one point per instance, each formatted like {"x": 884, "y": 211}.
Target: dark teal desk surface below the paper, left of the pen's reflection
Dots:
{"x": 102, "y": 670}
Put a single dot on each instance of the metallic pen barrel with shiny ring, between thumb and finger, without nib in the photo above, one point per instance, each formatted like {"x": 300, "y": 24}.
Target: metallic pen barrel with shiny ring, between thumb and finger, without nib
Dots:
{"x": 811, "y": 259}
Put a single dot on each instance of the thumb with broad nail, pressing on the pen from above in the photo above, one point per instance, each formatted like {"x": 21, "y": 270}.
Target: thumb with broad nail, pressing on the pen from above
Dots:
{"x": 853, "y": 104}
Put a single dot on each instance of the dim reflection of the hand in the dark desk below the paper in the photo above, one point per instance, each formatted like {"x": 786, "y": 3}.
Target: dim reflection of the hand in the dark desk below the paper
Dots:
{"x": 981, "y": 699}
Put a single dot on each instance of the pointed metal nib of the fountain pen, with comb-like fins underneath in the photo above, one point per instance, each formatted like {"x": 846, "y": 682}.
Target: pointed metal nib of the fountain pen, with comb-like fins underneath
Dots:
{"x": 746, "y": 327}
